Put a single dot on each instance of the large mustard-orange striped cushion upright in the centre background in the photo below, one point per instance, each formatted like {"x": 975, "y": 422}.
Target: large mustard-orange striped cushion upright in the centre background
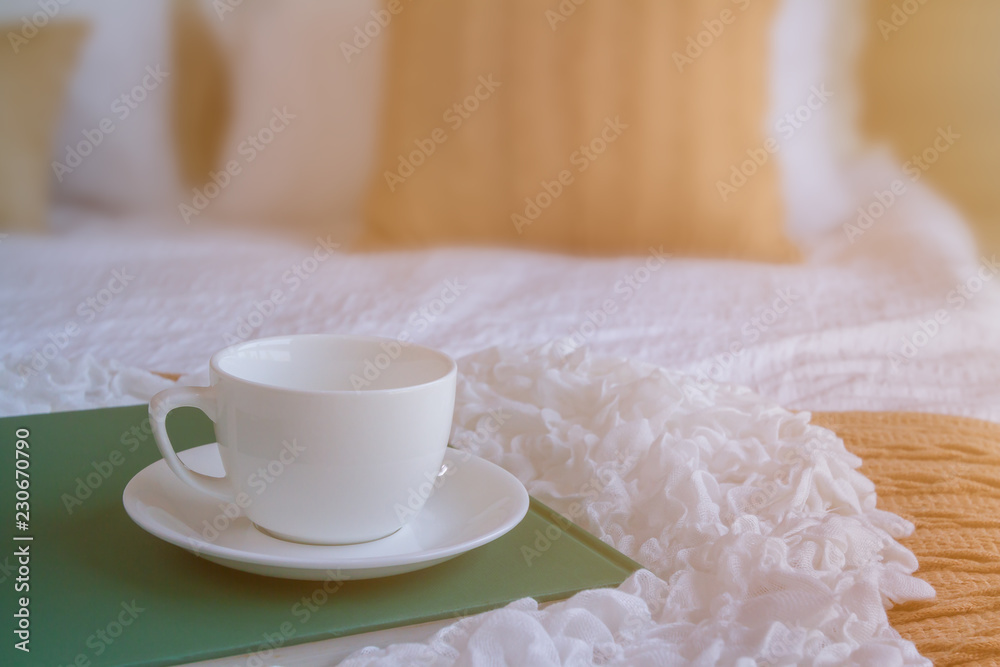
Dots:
{"x": 606, "y": 130}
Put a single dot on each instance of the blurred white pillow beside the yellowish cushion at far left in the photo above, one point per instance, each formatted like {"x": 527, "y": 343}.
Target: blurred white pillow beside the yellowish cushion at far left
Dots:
{"x": 123, "y": 83}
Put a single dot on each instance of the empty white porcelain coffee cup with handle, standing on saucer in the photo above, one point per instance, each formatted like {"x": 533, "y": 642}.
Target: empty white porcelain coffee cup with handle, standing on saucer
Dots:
{"x": 325, "y": 439}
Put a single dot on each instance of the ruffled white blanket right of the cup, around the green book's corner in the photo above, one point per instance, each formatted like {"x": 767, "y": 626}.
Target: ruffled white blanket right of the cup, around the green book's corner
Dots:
{"x": 762, "y": 541}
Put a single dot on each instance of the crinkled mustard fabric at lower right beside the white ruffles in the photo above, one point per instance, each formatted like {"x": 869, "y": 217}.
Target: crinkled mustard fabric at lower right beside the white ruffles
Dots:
{"x": 943, "y": 474}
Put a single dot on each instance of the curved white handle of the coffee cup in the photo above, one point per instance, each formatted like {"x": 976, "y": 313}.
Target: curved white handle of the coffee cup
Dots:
{"x": 160, "y": 406}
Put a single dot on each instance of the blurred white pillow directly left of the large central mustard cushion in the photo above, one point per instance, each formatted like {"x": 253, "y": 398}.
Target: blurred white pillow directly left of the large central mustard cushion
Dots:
{"x": 288, "y": 58}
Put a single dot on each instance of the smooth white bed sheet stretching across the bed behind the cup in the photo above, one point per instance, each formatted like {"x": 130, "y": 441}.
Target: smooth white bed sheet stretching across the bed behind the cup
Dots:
{"x": 850, "y": 307}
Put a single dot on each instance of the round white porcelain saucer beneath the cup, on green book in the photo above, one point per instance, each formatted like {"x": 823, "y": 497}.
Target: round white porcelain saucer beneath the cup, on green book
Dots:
{"x": 474, "y": 504}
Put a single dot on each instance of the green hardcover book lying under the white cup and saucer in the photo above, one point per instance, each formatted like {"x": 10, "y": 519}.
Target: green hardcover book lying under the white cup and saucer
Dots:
{"x": 85, "y": 586}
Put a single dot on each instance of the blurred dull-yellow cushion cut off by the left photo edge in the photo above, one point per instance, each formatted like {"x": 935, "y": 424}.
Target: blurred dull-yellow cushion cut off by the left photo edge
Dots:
{"x": 34, "y": 73}
